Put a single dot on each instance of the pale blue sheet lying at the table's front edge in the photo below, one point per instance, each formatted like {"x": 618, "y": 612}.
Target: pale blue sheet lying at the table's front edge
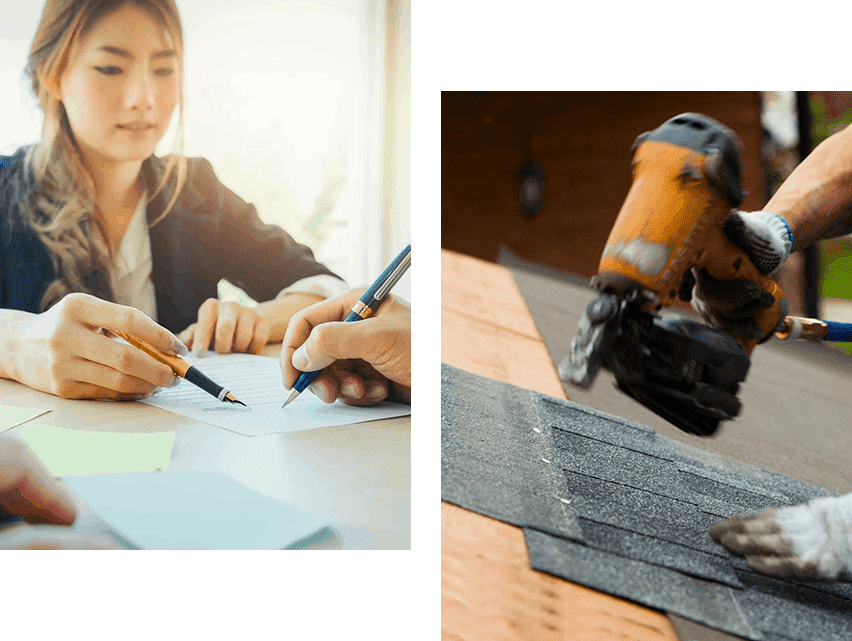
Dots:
{"x": 192, "y": 511}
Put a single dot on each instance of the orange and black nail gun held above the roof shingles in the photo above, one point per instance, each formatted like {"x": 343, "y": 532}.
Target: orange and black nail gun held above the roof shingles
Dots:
{"x": 686, "y": 180}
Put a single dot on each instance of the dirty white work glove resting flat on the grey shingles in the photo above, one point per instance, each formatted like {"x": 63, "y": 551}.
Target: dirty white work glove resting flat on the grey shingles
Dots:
{"x": 808, "y": 542}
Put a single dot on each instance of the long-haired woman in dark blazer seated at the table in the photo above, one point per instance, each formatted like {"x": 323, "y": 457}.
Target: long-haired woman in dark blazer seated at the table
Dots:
{"x": 100, "y": 234}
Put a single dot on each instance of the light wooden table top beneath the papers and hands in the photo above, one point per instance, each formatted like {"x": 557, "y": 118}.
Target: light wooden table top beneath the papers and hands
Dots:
{"x": 361, "y": 472}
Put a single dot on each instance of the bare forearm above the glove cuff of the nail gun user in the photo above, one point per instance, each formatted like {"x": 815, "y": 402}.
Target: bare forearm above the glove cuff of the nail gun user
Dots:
{"x": 816, "y": 200}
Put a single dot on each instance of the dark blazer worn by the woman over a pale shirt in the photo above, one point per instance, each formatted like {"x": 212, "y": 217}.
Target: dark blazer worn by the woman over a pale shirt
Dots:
{"x": 210, "y": 233}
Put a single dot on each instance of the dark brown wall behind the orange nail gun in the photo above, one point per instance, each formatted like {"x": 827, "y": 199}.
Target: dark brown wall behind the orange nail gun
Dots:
{"x": 582, "y": 141}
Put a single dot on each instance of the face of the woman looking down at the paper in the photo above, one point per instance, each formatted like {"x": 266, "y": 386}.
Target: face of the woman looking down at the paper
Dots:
{"x": 125, "y": 72}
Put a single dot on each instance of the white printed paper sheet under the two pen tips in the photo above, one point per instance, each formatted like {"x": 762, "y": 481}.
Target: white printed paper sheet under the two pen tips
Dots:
{"x": 256, "y": 381}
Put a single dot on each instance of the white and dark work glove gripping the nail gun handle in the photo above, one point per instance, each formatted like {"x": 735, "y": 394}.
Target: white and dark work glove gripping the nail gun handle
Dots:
{"x": 733, "y": 305}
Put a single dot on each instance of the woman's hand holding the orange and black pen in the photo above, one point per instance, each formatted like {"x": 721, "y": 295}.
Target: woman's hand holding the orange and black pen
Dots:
{"x": 64, "y": 351}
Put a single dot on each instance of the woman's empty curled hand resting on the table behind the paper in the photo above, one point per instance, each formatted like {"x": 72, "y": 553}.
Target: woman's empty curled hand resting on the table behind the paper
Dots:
{"x": 227, "y": 326}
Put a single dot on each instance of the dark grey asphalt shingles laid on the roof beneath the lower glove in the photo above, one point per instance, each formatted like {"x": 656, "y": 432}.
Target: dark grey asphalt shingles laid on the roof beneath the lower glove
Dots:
{"x": 610, "y": 504}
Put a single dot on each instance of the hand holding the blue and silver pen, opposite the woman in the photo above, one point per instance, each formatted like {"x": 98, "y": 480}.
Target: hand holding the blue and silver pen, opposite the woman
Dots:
{"x": 365, "y": 362}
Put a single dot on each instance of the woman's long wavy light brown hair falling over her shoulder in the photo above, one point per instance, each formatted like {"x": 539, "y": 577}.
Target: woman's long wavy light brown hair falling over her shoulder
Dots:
{"x": 60, "y": 207}
